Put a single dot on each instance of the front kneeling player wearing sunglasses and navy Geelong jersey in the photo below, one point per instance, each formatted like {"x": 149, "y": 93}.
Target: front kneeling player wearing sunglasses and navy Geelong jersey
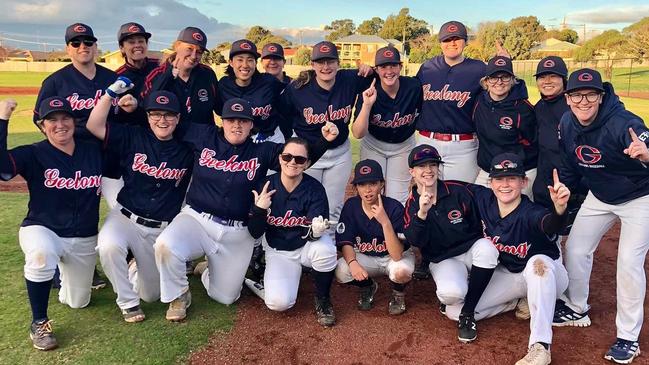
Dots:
{"x": 289, "y": 209}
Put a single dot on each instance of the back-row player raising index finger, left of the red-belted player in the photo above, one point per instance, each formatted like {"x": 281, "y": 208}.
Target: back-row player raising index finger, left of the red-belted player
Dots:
{"x": 385, "y": 121}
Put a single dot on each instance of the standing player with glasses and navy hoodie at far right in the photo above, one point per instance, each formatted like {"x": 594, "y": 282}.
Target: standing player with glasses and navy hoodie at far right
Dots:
{"x": 605, "y": 145}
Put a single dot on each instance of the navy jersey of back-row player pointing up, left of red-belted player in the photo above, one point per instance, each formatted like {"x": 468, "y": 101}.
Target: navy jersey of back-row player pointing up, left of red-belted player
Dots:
{"x": 394, "y": 120}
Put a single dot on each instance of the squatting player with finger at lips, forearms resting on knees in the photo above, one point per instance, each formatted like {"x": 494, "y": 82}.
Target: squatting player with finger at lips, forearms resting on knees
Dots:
{"x": 367, "y": 236}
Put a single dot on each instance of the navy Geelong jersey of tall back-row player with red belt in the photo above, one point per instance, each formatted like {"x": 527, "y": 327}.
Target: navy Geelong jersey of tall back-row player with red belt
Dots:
{"x": 449, "y": 94}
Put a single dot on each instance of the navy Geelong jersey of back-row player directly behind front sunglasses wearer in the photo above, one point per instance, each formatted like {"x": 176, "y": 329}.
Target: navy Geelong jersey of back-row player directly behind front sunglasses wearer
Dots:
{"x": 310, "y": 107}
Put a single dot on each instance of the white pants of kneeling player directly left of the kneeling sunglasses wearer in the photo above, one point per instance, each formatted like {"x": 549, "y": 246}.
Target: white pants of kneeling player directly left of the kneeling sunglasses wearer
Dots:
{"x": 192, "y": 235}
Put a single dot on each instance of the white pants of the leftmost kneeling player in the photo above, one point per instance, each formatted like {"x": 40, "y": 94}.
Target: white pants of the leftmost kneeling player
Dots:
{"x": 75, "y": 256}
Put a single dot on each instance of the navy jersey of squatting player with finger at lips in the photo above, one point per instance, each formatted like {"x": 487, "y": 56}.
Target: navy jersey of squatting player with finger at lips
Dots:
{"x": 356, "y": 229}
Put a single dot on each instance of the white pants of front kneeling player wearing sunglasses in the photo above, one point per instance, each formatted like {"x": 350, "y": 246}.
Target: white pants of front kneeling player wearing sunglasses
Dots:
{"x": 284, "y": 269}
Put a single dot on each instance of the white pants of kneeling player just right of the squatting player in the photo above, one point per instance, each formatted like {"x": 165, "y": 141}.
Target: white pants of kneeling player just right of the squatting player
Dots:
{"x": 451, "y": 275}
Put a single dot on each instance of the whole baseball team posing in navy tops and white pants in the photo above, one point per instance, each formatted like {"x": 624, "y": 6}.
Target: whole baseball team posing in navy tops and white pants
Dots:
{"x": 455, "y": 163}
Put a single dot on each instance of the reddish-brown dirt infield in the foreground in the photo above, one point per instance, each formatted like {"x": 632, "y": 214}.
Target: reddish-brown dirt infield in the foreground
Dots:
{"x": 421, "y": 335}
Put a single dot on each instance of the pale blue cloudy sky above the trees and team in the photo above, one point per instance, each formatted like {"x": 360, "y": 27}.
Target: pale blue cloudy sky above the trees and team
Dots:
{"x": 40, "y": 24}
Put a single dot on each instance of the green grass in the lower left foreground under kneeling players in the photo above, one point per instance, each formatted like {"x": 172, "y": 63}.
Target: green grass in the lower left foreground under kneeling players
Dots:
{"x": 96, "y": 334}
